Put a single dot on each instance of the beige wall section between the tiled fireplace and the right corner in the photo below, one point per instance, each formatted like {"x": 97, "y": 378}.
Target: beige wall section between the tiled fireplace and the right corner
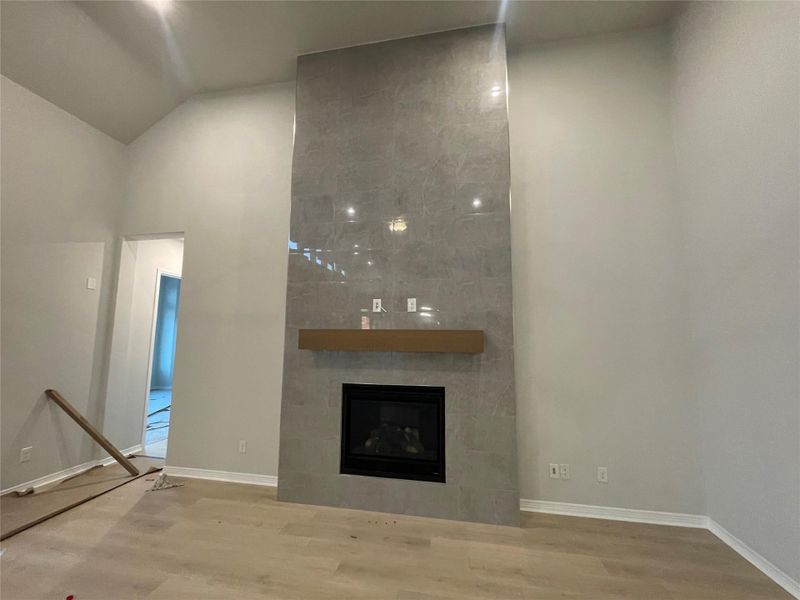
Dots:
{"x": 599, "y": 281}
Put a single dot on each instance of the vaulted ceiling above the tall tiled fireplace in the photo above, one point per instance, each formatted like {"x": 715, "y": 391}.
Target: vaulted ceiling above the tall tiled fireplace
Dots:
{"x": 122, "y": 65}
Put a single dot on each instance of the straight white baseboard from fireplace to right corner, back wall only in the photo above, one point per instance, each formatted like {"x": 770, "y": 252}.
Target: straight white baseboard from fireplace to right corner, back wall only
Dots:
{"x": 614, "y": 514}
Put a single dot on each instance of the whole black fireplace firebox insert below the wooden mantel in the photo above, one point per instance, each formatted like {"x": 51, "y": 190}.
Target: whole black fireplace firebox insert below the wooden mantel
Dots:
{"x": 393, "y": 431}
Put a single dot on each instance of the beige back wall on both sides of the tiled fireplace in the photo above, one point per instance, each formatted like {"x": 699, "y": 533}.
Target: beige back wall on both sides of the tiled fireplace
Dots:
{"x": 607, "y": 384}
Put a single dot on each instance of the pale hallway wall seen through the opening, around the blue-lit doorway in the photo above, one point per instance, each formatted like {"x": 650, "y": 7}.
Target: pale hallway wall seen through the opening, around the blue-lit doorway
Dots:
{"x": 133, "y": 328}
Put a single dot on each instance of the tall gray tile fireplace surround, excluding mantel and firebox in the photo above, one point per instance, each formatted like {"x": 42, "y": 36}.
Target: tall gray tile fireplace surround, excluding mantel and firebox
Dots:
{"x": 400, "y": 190}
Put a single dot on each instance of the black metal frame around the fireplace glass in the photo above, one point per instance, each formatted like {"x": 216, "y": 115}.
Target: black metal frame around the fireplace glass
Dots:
{"x": 387, "y": 466}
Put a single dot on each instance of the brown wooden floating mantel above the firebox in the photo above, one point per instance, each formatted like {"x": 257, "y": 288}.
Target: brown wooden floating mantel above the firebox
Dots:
{"x": 464, "y": 341}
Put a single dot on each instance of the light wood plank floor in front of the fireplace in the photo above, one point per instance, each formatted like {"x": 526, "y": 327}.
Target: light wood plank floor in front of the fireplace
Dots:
{"x": 217, "y": 540}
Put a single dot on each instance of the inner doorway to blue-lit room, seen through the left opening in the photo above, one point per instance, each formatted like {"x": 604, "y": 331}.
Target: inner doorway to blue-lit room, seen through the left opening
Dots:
{"x": 162, "y": 362}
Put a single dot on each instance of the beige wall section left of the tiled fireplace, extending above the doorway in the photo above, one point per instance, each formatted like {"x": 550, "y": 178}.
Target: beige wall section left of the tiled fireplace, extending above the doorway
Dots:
{"x": 218, "y": 168}
